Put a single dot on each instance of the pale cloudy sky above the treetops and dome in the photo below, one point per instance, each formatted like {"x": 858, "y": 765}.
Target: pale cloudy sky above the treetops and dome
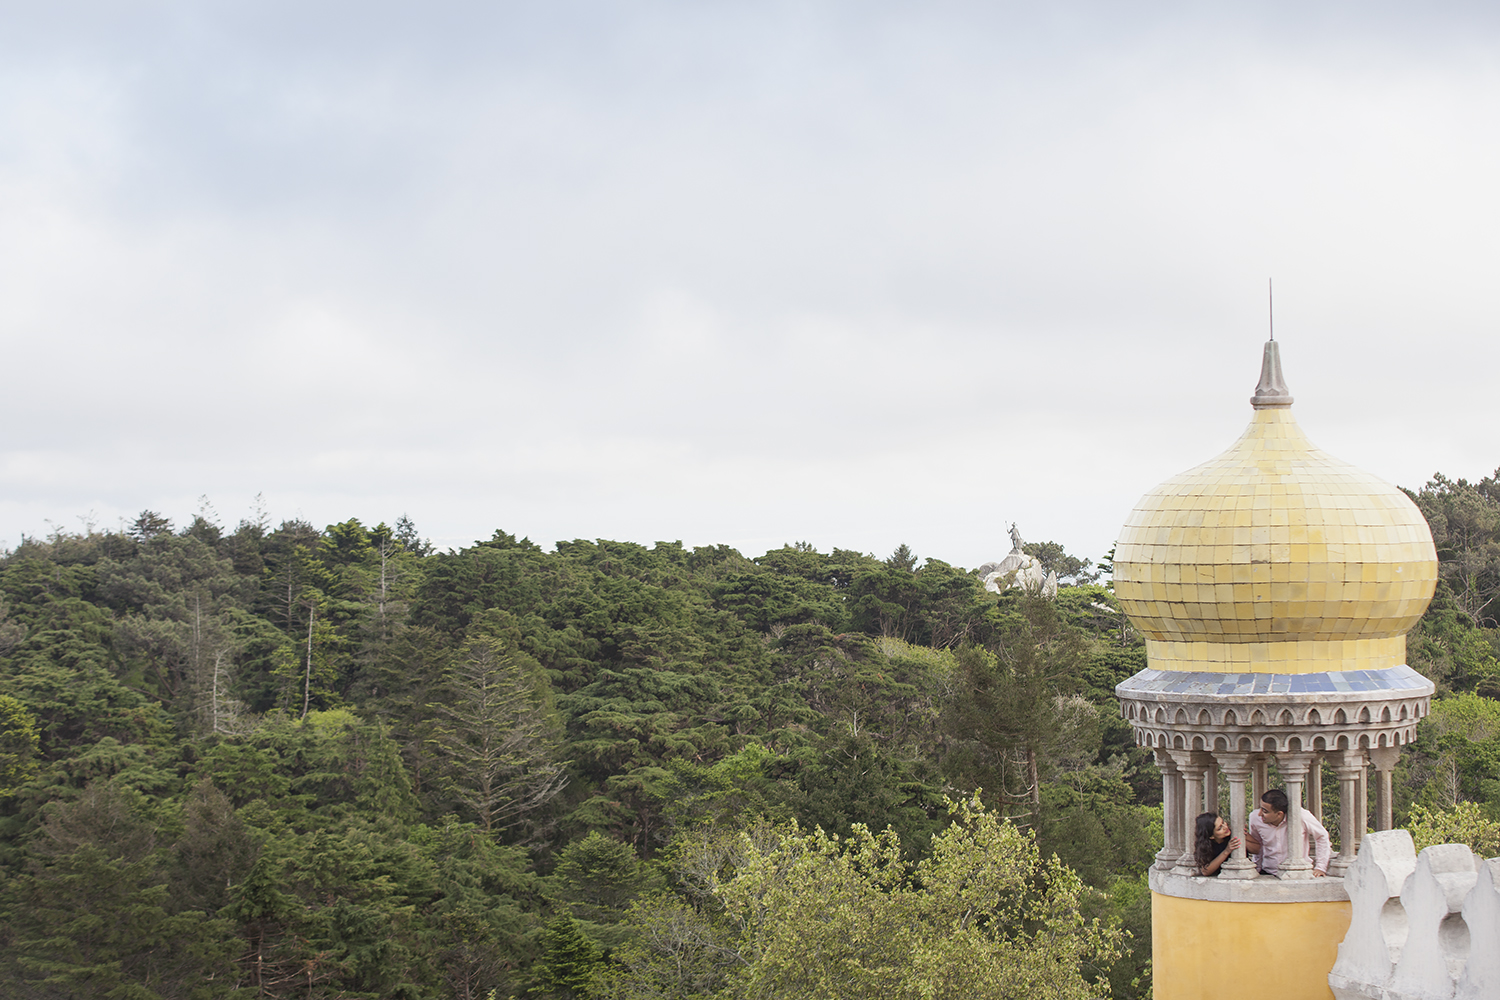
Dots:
{"x": 851, "y": 274}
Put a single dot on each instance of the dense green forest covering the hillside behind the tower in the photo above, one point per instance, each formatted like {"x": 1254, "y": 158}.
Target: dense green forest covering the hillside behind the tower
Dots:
{"x": 335, "y": 764}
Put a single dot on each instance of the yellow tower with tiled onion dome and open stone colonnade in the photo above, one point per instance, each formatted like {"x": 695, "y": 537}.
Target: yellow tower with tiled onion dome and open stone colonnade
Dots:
{"x": 1274, "y": 587}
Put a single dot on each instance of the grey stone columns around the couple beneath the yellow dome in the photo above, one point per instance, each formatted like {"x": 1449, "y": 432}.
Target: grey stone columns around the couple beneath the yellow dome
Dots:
{"x": 1190, "y": 786}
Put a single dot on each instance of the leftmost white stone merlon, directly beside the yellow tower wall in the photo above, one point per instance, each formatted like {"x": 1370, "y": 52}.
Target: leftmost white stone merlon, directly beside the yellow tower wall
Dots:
{"x": 1367, "y": 956}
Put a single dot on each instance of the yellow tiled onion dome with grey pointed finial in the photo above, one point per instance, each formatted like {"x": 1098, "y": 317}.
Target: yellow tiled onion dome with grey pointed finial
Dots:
{"x": 1276, "y": 557}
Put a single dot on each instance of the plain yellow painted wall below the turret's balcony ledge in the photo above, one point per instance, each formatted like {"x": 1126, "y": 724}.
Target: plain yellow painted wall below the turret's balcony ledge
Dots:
{"x": 1204, "y": 950}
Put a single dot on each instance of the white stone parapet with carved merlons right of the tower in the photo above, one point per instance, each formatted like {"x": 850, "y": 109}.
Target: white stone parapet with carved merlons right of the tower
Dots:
{"x": 1423, "y": 927}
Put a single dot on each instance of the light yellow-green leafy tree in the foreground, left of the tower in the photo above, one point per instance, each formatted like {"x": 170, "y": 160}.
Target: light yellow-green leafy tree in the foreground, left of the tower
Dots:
{"x": 809, "y": 915}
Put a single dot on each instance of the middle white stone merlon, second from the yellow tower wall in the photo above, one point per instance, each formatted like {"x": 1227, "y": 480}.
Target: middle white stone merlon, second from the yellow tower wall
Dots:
{"x": 1429, "y": 968}
